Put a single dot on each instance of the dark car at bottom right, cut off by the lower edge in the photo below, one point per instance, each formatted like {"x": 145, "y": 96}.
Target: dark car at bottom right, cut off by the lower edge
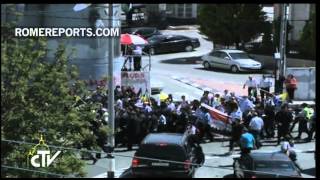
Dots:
{"x": 265, "y": 165}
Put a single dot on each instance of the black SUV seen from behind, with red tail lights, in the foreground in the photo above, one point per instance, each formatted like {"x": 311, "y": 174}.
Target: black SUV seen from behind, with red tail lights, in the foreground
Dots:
{"x": 172, "y": 155}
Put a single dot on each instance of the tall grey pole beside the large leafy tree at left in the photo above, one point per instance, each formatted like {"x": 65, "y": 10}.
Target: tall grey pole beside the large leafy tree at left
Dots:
{"x": 111, "y": 141}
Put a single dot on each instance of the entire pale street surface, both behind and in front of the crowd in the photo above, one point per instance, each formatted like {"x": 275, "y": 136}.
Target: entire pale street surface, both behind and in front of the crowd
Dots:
{"x": 166, "y": 69}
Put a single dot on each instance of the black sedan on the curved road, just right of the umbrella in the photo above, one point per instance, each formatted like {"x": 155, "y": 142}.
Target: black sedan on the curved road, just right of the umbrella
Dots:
{"x": 170, "y": 43}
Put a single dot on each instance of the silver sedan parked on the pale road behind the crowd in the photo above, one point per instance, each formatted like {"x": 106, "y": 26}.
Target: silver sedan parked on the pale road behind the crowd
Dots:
{"x": 234, "y": 60}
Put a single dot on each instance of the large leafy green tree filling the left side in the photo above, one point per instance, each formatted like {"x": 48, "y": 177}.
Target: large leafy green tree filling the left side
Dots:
{"x": 37, "y": 95}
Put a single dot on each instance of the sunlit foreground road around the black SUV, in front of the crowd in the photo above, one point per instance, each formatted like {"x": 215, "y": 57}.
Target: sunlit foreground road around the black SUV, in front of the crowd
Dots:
{"x": 217, "y": 163}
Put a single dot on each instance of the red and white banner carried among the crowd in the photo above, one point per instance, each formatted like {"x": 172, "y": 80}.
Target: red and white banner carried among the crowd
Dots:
{"x": 220, "y": 120}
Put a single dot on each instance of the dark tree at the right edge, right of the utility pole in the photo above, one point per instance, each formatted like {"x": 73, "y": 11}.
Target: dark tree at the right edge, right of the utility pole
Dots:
{"x": 308, "y": 38}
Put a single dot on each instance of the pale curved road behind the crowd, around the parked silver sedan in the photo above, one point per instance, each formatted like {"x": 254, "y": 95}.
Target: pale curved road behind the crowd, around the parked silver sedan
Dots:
{"x": 165, "y": 67}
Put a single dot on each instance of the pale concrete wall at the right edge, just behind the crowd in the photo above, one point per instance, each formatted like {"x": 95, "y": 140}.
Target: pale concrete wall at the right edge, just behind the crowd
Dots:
{"x": 306, "y": 78}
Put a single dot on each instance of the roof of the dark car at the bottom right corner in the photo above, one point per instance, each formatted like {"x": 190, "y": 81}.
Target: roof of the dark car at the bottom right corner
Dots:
{"x": 275, "y": 156}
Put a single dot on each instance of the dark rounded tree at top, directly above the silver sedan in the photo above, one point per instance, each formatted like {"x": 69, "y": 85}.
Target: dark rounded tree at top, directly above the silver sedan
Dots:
{"x": 229, "y": 24}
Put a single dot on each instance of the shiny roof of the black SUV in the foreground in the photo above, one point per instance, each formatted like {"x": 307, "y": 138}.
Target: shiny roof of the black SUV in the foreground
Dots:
{"x": 166, "y": 138}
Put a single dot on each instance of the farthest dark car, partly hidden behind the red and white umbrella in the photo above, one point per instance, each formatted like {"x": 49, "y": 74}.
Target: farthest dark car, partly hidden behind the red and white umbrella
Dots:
{"x": 145, "y": 32}
